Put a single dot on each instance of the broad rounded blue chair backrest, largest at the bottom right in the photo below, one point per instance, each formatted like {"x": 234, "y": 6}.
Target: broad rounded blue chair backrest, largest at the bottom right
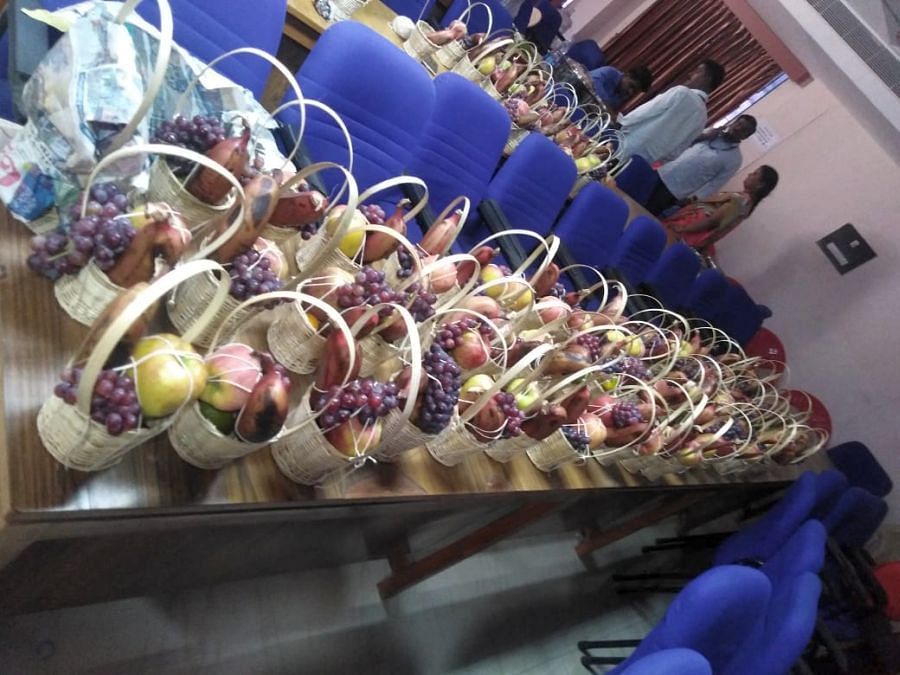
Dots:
{"x": 714, "y": 615}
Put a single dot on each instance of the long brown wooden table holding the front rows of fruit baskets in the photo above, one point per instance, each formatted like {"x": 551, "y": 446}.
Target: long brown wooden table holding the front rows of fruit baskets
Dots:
{"x": 116, "y": 519}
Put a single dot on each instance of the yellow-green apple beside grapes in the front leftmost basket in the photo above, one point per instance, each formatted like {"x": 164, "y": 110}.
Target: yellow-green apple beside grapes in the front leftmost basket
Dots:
{"x": 169, "y": 374}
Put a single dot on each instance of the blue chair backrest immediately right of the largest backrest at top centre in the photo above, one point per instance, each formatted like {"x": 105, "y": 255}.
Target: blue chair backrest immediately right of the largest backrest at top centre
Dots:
{"x": 461, "y": 144}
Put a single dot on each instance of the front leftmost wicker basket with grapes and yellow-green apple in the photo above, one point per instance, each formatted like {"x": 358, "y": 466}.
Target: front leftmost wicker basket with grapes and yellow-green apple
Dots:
{"x": 96, "y": 417}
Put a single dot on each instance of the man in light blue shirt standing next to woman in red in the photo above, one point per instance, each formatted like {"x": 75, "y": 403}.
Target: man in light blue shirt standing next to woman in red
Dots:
{"x": 702, "y": 169}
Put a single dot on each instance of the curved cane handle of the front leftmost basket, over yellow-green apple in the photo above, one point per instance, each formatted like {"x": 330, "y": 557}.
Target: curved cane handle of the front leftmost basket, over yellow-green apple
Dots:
{"x": 136, "y": 308}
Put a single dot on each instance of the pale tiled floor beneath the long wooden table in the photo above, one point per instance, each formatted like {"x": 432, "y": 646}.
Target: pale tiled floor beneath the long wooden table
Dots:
{"x": 515, "y": 609}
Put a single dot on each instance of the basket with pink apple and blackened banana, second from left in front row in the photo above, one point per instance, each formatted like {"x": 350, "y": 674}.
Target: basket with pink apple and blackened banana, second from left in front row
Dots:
{"x": 245, "y": 403}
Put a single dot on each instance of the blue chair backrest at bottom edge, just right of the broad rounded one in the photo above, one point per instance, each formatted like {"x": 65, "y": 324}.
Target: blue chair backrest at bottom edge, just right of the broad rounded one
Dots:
{"x": 788, "y": 627}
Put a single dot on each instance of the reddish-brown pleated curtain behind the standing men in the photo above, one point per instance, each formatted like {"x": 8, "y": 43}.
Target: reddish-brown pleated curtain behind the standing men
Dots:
{"x": 672, "y": 36}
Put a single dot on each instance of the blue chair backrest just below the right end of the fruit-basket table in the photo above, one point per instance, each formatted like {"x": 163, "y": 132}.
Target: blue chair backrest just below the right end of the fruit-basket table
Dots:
{"x": 762, "y": 539}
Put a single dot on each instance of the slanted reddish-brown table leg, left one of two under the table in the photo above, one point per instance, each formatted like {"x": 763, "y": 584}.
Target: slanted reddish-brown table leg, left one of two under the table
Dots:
{"x": 408, "y": 572}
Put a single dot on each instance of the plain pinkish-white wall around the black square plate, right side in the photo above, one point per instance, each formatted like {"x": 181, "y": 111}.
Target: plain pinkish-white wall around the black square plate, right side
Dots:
{"x": 842, "y": 333}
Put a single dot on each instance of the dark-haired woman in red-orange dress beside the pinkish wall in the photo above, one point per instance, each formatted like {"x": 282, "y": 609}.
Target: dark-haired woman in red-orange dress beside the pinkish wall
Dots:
{"x": 705, "y": 222}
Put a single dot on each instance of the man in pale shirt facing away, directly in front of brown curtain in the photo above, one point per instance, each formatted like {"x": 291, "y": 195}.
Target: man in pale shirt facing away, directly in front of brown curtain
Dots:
{"x": 664, "y": 126}
